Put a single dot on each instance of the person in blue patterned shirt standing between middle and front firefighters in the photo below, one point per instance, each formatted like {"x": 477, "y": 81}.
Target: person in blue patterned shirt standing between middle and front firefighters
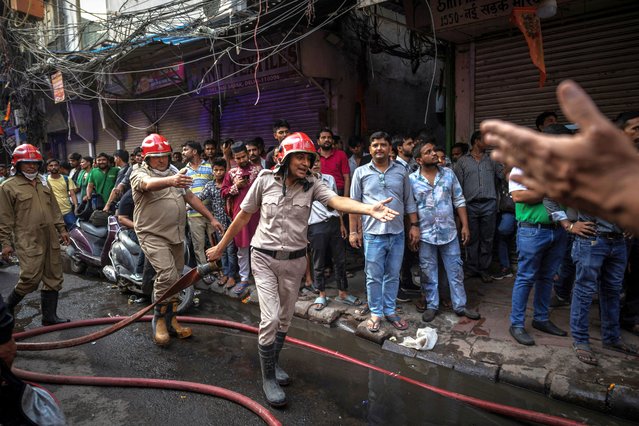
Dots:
{"x": 213, "y": 192}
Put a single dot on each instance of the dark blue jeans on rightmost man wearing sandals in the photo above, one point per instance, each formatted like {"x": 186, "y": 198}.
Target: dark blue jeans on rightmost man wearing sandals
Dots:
{"x": 598, "y": 261}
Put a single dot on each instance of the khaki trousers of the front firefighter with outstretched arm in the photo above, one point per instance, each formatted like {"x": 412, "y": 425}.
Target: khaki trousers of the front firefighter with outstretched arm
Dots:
{"x": 278, "y": 284}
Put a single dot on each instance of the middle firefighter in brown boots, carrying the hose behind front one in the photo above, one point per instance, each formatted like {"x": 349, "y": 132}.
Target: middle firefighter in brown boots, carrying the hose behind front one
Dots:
{"x": 160, "y": 193}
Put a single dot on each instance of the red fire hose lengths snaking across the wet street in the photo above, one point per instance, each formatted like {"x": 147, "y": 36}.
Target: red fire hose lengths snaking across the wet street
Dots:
{"x": 184, "y": 282}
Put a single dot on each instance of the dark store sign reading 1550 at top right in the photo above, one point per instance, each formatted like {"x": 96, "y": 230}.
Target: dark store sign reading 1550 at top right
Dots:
{"x": 455, "y": 13}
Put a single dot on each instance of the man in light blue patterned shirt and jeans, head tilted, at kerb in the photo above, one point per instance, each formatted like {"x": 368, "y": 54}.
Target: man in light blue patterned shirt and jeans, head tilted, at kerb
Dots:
{"x": 437, "y": 191}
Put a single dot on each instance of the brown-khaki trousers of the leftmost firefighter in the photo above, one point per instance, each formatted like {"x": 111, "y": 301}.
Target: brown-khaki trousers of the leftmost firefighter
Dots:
{"x": 40, "y": 263}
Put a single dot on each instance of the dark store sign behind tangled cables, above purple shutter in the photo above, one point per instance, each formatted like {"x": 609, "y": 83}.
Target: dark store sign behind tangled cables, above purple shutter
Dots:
{"x": 236, "y": 72}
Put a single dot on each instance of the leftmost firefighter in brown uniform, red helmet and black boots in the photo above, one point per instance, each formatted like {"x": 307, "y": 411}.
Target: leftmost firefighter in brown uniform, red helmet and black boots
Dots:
{"x": 30, "y": 212}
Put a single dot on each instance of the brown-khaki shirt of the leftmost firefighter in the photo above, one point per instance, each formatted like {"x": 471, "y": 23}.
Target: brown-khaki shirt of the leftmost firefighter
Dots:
{"x": 24, "y": 210}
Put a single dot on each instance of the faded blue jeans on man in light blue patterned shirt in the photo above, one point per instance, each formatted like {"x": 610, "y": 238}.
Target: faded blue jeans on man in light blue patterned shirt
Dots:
{"x": 451, "y": 256}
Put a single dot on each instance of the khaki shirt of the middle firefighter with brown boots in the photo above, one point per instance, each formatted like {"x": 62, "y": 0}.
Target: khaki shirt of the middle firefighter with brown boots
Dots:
{"x": 161, "y": 213}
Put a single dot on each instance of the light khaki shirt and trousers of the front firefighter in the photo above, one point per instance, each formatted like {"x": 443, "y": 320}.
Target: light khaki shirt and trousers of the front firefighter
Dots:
{"x": 282, "y": 229}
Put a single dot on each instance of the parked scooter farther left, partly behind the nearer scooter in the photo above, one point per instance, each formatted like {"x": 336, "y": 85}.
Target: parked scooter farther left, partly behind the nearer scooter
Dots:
{"x": 90, "y": 244}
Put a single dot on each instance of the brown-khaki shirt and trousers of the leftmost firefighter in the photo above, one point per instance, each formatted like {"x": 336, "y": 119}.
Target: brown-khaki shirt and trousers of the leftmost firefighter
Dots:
{"x": 31, "y": 213}
